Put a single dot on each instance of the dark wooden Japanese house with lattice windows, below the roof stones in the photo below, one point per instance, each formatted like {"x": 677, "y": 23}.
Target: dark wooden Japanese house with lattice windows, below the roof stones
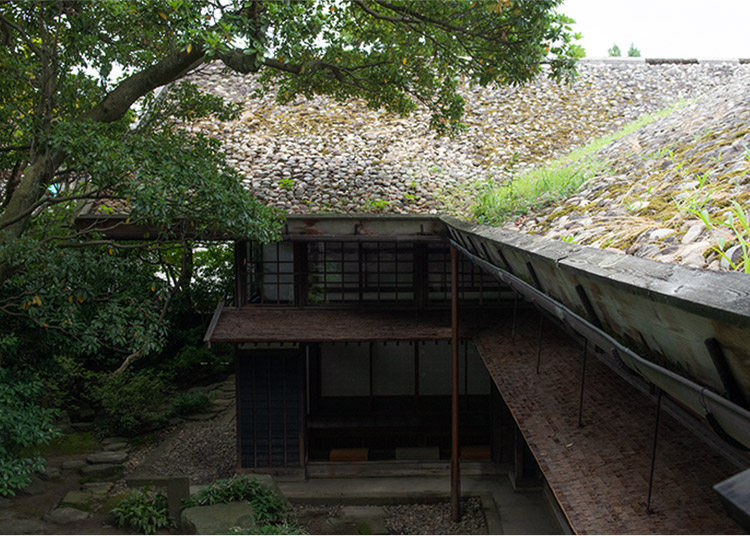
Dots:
{"x": 617, "y": 383}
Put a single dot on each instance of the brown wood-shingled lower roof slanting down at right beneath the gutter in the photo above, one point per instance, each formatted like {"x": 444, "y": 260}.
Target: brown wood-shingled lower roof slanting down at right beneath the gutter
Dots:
{"x": 599, "y": 473}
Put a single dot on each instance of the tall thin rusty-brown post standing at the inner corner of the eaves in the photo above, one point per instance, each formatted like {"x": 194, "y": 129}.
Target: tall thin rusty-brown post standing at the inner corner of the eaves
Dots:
{"x": 455, "y": 478}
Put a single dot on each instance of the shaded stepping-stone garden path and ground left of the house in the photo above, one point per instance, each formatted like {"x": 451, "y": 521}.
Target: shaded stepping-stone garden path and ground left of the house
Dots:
{"x": 74, "y": 494}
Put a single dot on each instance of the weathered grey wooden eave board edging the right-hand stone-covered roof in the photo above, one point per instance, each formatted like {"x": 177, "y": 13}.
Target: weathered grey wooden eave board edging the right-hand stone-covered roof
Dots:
{"x": 662, "y": 311}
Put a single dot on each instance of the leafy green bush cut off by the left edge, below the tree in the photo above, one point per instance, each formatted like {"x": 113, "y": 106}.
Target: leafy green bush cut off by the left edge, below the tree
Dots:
{"x": 23, "y": 427}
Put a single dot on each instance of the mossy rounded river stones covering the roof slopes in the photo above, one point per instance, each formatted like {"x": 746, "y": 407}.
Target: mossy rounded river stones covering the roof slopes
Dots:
{"x": 322, "y": 156}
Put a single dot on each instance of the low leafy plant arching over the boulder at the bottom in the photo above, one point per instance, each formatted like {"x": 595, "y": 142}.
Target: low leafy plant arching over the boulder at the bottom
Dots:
{"x": 270, "y": 508}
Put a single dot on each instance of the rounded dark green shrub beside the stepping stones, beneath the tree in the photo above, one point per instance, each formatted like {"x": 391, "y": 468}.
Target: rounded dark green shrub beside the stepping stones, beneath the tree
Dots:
{"x": 133, "y": 403}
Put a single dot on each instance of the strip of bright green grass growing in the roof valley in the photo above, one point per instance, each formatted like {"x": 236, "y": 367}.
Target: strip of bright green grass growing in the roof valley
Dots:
{"x": 495, "y": 203}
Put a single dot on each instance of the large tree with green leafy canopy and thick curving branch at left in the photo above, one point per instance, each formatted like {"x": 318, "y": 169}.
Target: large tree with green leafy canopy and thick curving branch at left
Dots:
{"x": 93, "y": 98}
